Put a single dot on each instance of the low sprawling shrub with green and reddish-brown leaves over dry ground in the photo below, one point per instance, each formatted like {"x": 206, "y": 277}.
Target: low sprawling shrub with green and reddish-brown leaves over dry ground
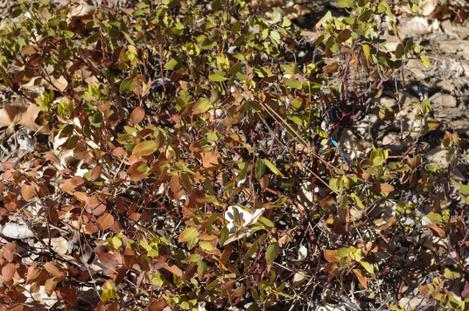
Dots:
{"x": 190, "y": 157}
